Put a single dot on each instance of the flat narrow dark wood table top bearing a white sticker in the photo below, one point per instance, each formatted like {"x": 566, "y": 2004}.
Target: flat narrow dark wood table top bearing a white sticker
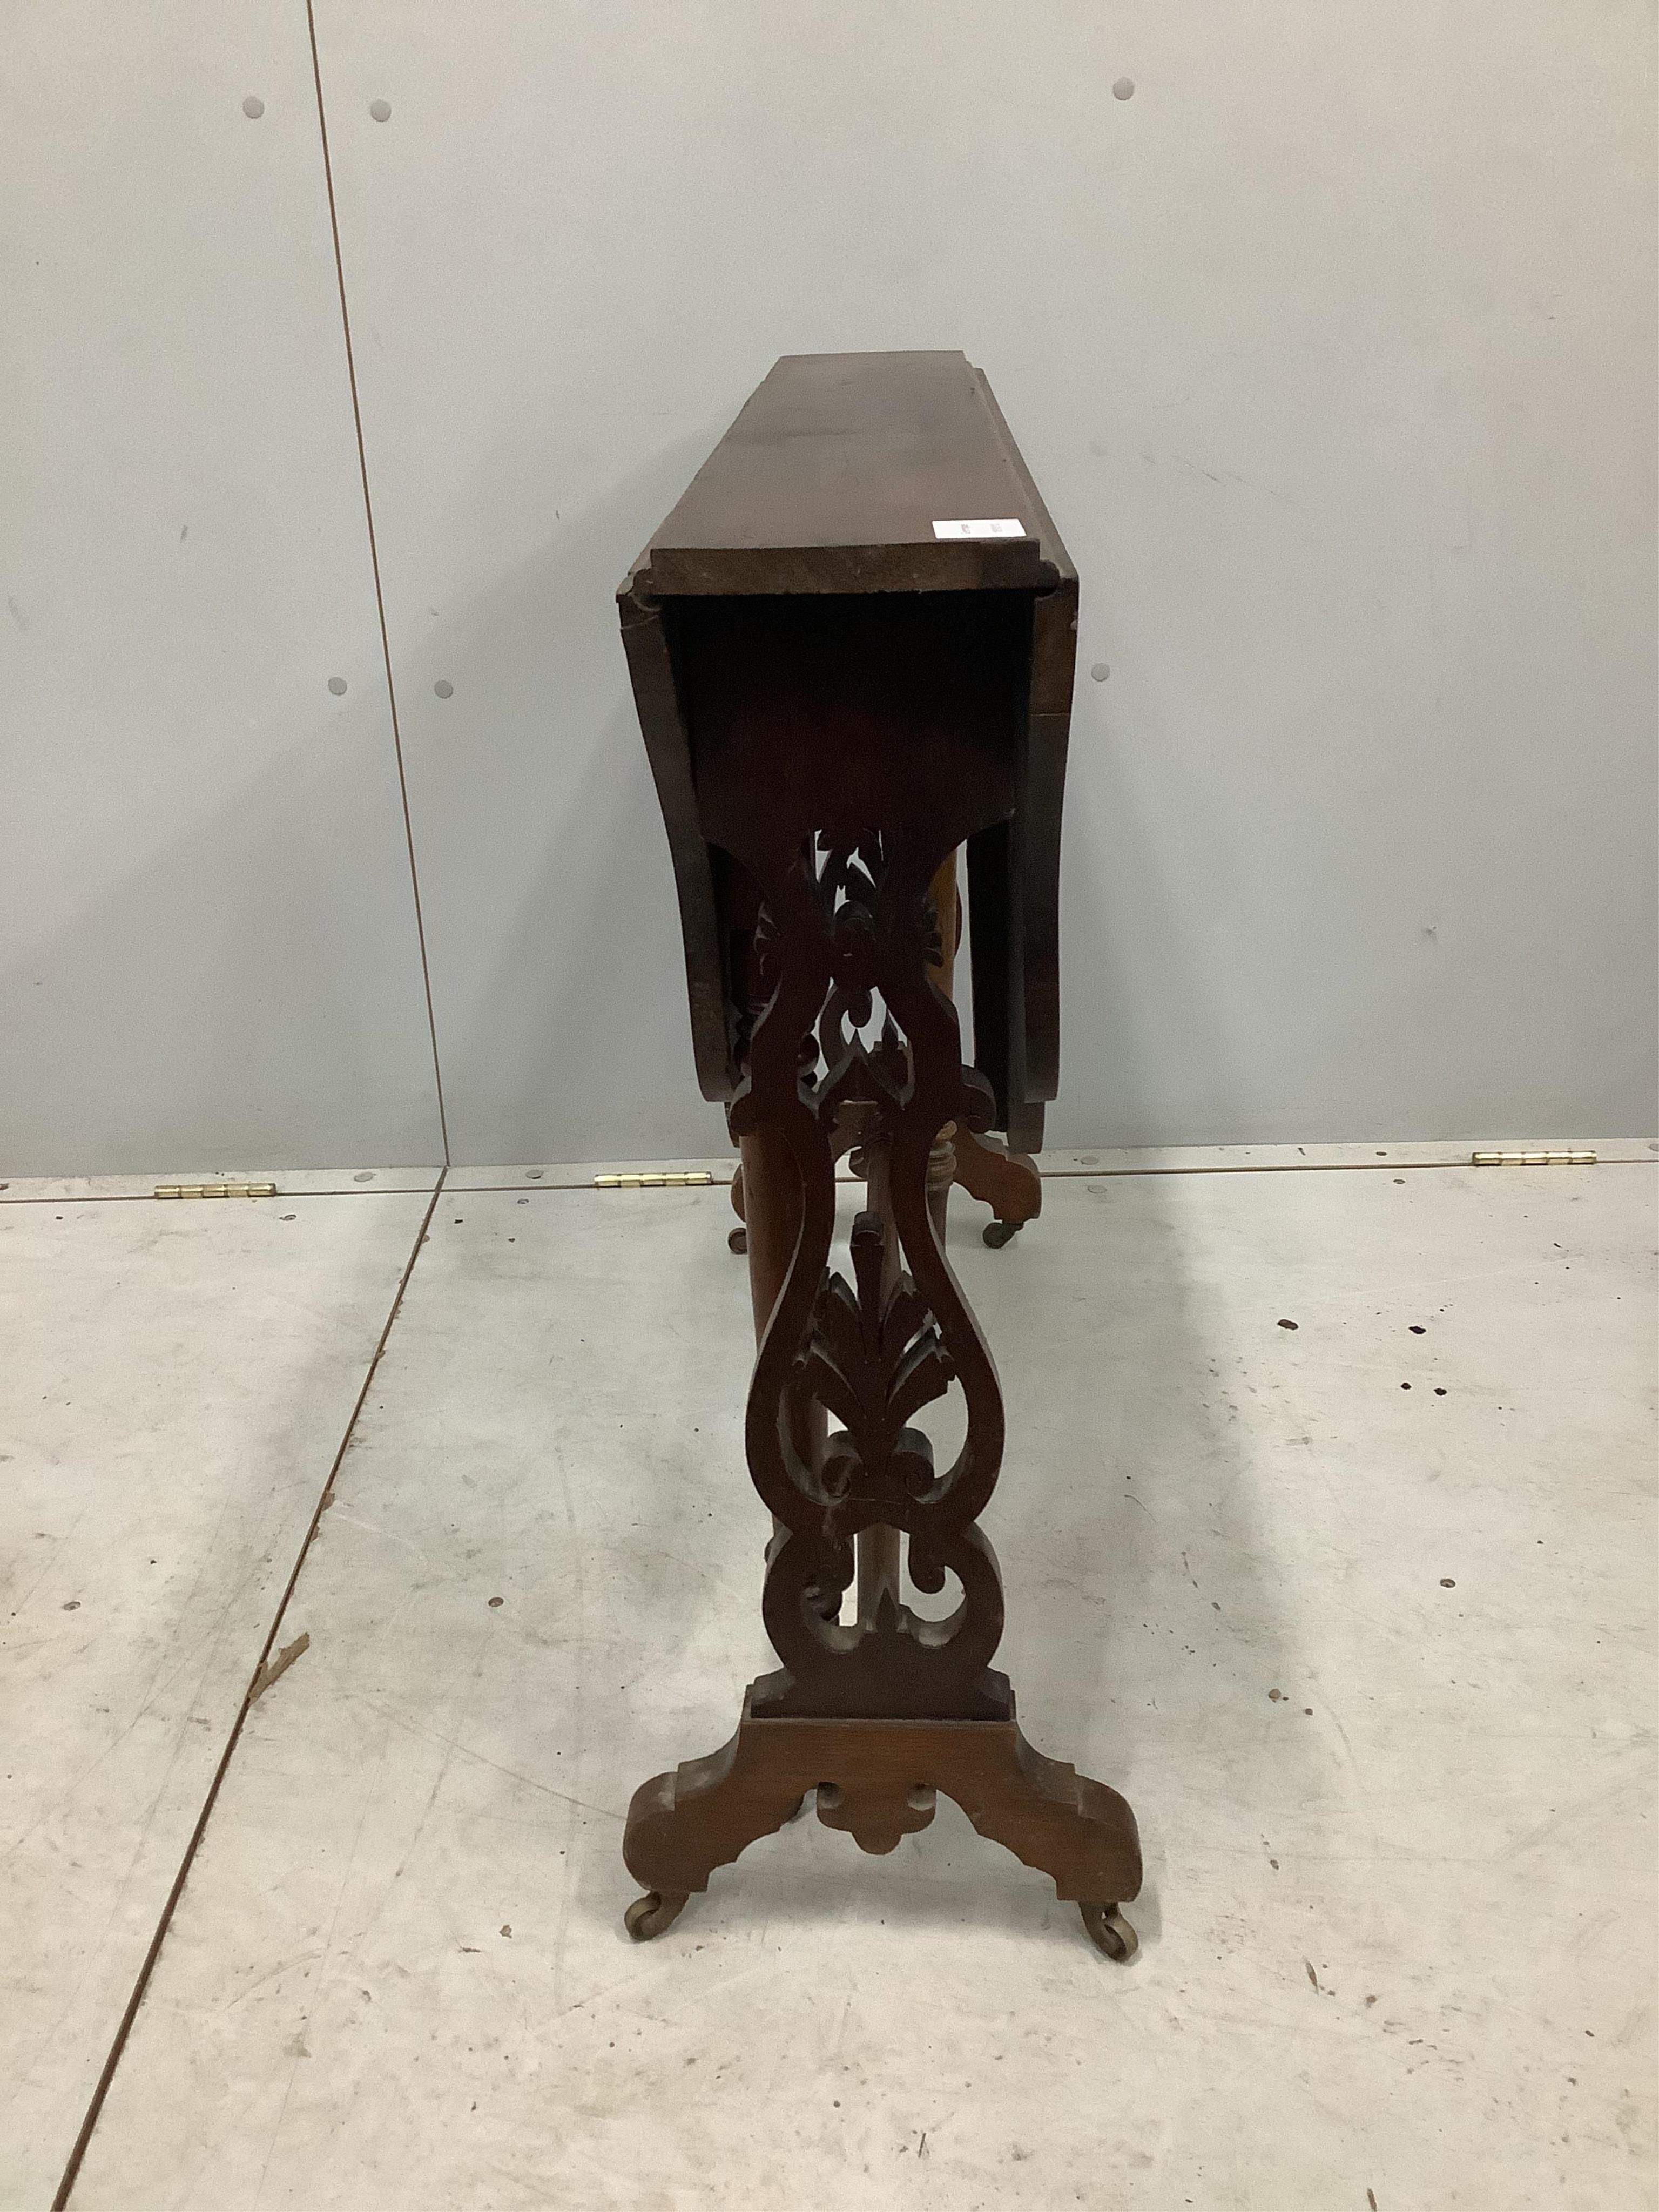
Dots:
{"x": 835, "y": 477}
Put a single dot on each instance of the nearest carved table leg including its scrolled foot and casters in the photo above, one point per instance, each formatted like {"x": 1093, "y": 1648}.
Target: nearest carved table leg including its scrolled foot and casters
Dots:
{"x": 875, "y": 1715}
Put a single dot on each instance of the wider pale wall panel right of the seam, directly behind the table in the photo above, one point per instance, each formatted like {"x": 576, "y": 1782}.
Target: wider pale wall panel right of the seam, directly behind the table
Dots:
{"x": 1333, "y": 351}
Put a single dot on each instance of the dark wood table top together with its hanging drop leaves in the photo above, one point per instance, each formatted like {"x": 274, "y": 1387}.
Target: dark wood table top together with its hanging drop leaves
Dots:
{"x": 802, "y": 601}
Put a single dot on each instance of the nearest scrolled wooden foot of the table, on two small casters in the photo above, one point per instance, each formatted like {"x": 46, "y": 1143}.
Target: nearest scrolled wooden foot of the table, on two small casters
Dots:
{"x": 877, "y": 1782}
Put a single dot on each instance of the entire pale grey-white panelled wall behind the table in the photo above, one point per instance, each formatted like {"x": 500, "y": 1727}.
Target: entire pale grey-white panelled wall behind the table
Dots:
{"x": 1333, "y": 351}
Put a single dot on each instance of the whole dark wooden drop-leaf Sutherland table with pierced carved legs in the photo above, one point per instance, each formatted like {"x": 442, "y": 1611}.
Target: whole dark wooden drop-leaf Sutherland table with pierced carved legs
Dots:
{"x": 853, "y": 654}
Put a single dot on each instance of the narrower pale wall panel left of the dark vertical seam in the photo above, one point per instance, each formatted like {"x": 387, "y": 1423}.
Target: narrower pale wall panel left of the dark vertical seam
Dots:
{"x": 207, "y": 928}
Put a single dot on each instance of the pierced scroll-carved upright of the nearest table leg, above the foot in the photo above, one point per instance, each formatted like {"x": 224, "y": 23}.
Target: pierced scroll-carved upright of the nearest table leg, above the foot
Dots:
{"x": 853, "y": 1025}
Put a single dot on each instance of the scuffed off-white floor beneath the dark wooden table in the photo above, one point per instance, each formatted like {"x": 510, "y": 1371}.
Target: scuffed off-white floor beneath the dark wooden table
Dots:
{"x": 1357, "y": 1614}
